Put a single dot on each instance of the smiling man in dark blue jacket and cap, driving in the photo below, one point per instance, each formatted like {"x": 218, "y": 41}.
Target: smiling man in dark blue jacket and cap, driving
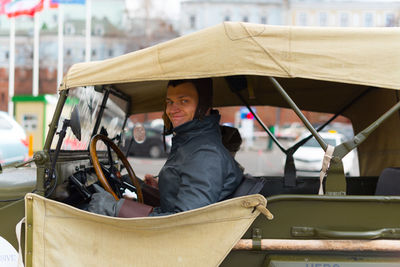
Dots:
{"x": 199, "y": 170}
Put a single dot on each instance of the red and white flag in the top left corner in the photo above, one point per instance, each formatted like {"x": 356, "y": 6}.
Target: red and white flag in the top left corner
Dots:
{"x": 17, "y": 8}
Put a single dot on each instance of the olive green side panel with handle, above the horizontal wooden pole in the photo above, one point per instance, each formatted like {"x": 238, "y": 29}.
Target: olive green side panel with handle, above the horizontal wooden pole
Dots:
{"x": 354, "y": 215}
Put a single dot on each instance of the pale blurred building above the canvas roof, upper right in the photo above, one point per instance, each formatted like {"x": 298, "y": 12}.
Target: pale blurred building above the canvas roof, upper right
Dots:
{"x": 199, "y": 14}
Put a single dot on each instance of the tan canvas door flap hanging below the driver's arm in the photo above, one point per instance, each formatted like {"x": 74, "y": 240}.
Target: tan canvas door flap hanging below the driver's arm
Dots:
{"x": 66, "y": 236}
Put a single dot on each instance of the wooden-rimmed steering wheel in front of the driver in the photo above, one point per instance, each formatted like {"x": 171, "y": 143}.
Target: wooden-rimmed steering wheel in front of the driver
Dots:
{"x": 112, "y": 171}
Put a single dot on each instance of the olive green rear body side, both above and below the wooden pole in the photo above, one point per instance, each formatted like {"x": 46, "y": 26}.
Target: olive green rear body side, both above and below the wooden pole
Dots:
{"x": 357, "y": 218}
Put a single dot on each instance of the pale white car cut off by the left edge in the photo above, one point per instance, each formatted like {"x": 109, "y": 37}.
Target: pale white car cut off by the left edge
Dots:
{"x": 13, "y": 143}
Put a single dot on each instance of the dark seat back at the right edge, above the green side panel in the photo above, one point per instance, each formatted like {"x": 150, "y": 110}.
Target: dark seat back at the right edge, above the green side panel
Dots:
{"x": 389, "y": 182}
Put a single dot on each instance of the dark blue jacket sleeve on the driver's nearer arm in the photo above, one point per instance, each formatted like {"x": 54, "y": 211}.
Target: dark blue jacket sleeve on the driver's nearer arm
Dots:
{"x": 201, "y": 180}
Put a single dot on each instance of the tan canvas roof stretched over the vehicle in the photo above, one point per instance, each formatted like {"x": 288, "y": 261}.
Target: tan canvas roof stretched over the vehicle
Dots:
{"x": 362, "y": 56}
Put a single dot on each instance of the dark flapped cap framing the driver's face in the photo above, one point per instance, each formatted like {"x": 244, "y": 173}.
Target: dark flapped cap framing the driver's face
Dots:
{"x": 204, "y": 88}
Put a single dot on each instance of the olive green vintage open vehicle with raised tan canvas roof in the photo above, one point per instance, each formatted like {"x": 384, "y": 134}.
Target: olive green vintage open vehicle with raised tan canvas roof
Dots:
{"x": 320, "y": 70}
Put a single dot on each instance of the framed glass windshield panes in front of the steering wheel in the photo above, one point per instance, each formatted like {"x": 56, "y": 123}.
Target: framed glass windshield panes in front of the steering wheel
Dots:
{"x": 89, "y": 103}
